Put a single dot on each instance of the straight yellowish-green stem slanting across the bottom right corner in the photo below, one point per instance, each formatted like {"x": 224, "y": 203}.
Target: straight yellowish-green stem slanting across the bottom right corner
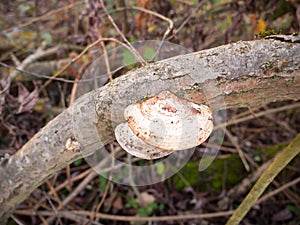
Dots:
{"x": 265, "y": 179}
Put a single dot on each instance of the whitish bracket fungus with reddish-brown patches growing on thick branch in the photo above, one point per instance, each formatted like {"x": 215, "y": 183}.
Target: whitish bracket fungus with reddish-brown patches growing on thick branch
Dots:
{"x": 162, "y": 124}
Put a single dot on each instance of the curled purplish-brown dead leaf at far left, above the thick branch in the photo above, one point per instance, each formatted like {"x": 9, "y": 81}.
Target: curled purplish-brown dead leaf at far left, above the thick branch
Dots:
{"x": 26, "y": 99}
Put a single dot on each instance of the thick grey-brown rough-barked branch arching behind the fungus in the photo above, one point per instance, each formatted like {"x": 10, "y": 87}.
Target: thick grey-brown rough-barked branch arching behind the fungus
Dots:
{"x": 242, "y": 74}
